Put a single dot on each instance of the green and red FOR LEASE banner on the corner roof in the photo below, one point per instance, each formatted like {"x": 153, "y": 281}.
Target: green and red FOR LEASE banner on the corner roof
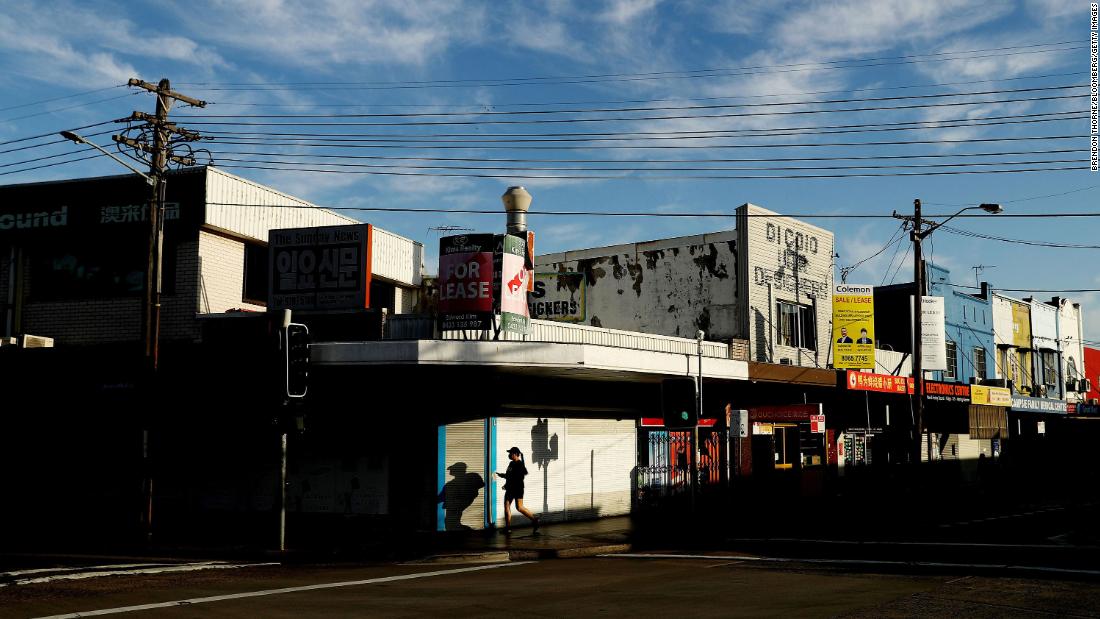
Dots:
{"x": 466, "y": 282}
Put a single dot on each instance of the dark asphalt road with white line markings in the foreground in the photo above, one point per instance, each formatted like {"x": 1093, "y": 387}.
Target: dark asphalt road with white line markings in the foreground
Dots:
{"x": 717, "y": 585}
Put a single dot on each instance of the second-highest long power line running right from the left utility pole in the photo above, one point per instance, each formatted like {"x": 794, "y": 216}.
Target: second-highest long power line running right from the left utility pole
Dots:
{"x": 629, "y": 102}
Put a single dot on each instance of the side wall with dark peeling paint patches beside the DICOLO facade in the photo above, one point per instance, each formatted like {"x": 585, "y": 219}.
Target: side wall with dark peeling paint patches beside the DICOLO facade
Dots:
{"x": 668, "y": 288}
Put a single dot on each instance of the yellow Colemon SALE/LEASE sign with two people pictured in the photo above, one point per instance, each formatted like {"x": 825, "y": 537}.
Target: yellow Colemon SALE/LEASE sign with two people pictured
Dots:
{"x": 854, "y": 327}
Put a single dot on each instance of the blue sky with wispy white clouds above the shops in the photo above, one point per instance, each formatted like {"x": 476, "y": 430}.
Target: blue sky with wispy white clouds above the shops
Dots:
{"x": 382, "y": 53}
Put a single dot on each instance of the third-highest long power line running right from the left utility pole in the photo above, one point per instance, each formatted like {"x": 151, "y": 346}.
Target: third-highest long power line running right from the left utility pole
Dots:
{"x": 648, "y": 109}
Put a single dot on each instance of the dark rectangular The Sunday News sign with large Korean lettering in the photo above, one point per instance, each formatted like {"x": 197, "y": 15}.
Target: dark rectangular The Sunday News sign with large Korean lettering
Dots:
{"x": 321, "y": 269}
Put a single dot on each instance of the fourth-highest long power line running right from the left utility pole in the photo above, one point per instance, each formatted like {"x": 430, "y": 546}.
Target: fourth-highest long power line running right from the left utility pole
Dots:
{"x": 633, "y": 119}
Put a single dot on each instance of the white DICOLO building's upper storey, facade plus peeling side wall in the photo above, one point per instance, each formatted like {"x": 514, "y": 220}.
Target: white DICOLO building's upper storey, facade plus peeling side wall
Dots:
{"x": 765, "y": 286}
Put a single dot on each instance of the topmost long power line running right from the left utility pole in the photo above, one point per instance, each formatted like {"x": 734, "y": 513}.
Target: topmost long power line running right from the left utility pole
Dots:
{"x": 730, "y": 72}
